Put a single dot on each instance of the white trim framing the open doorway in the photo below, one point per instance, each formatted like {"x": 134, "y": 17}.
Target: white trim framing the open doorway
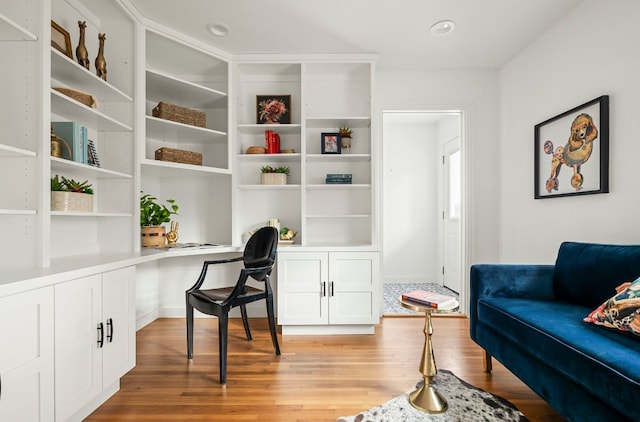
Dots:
{"x": 465, "y": 212}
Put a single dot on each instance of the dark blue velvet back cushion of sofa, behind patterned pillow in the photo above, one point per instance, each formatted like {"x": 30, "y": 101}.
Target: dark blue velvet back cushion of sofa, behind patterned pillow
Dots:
{"x": 587, "y": 273}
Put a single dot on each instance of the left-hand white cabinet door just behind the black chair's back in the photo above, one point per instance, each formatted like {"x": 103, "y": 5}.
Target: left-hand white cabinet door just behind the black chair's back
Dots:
{"x": 302, "y": 288}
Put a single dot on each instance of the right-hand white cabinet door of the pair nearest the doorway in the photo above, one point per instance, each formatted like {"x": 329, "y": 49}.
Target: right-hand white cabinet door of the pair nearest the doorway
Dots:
{"x": 353, "y": 281}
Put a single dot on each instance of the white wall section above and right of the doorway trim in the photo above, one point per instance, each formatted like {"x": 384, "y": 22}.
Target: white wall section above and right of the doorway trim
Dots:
{"x": 476, "y": 94}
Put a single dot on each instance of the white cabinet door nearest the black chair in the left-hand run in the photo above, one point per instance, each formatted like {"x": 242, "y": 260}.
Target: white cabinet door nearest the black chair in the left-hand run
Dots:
{"x": 118, "y": 315}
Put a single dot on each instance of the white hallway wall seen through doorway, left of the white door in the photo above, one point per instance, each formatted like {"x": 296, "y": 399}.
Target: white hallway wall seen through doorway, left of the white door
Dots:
{"x": 410, "y": 198}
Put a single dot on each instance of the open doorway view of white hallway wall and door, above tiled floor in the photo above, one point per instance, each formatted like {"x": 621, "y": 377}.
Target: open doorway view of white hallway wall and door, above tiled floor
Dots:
{"x": 422, "y": 198}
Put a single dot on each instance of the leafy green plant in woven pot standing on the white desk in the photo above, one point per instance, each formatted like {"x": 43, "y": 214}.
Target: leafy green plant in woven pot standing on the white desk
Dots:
{"x": 152, "y": 215}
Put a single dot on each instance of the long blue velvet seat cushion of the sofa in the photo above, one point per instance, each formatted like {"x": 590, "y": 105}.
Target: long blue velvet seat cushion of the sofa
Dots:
{"x": 602, "y": 362}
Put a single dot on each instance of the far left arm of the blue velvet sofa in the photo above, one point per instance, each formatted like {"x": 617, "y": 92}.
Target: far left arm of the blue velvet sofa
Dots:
{"x": 502, "y": 280}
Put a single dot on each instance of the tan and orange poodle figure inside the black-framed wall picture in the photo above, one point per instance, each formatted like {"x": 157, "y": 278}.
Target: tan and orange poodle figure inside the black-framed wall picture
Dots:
{"x": 574, "y": 154}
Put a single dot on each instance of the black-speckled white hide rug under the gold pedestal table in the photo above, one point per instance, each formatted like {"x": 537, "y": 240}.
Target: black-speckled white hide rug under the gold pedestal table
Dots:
{"x": 466, "y": 403}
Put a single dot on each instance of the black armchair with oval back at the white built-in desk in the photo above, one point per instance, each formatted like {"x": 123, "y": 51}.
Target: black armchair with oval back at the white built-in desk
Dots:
{"x": 259, "y": 257}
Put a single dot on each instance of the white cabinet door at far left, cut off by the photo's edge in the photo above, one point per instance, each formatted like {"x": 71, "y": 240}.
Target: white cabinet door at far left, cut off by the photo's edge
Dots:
{"x": 26, "y": 356}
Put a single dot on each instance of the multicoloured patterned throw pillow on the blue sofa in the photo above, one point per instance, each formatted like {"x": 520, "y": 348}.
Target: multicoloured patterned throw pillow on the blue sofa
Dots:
{"x": 622, "y": 311}
